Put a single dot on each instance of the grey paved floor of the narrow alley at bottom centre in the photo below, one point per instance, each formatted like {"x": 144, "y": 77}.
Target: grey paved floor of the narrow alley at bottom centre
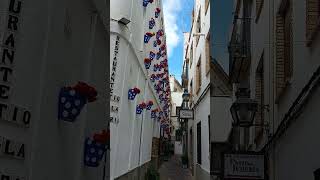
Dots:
{"x": 172, "y": 170}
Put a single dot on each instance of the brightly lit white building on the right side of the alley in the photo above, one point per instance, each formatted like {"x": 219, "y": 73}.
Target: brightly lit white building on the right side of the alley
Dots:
{"x": 196, "y": 79}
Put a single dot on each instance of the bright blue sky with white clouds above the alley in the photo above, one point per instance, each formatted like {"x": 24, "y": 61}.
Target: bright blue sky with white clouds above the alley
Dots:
{"x": 171, "y": 10}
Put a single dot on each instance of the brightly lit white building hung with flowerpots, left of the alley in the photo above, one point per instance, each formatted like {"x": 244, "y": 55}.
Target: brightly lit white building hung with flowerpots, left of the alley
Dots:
{"x": 133, "y": 135}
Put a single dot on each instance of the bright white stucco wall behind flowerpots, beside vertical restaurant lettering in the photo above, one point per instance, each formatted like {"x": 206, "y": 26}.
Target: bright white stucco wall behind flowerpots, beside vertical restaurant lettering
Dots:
{"x": 131, "y": 138}
